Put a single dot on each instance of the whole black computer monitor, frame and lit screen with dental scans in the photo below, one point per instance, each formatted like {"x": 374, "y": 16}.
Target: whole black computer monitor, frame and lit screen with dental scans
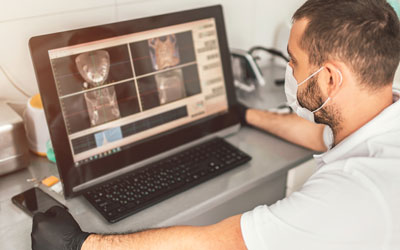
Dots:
{"x": 117, "y": 95}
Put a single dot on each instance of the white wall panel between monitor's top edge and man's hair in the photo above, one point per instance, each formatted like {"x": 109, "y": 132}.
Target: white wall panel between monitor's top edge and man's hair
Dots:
{"x": 248, "y": 22}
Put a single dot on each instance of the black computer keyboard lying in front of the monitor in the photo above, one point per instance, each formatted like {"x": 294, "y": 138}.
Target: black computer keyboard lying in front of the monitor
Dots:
{"x": 160, "y": 180}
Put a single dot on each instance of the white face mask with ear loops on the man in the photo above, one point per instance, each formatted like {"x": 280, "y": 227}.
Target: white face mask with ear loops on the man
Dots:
{"x": 291, "y": 87}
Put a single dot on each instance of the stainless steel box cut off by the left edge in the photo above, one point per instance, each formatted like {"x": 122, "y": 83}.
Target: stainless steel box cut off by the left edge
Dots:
{"x": 14, "y": 152}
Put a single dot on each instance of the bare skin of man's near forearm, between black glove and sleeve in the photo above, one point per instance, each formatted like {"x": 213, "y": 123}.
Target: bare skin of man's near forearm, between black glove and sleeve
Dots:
{"x": 224, "y": 235}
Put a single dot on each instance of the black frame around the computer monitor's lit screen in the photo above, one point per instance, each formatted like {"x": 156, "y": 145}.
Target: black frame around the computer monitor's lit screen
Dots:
{"x": 73, "y": 176}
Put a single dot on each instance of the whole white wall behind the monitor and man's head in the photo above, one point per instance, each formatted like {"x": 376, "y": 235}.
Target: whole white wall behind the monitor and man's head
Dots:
{"x": 248, "y": 23}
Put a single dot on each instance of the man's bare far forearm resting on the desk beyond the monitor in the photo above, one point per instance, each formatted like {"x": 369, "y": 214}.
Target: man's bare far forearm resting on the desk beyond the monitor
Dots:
{"x": 289, "y": 127}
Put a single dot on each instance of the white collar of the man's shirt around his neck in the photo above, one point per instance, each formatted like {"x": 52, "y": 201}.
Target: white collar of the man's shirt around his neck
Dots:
{"x": 385, "y": 121}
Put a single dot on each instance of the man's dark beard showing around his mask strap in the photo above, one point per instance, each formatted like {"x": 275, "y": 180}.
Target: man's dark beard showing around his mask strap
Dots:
{"x": 311, "y": 99}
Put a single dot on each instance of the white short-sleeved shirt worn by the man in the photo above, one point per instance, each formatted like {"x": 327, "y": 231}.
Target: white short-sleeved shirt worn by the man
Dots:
{"x": 352, "y": 202}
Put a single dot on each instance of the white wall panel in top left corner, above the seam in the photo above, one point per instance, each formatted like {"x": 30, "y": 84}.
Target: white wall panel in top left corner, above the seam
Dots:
{"x": 17, "y": 9}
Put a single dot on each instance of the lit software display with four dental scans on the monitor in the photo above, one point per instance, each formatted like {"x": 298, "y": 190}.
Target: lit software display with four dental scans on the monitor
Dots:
{"x": 118, "y": 91}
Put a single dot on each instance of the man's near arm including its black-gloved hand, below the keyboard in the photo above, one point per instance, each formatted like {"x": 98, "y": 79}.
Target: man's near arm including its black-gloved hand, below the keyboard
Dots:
{"x": 57, "y": 229}
